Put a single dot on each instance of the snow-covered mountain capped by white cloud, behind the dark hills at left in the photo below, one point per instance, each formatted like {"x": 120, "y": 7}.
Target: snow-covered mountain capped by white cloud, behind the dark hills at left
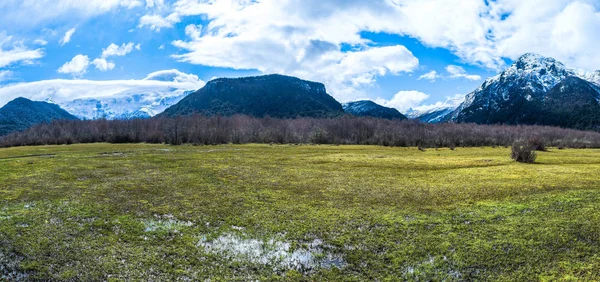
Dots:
{"x": 116, "y": 99}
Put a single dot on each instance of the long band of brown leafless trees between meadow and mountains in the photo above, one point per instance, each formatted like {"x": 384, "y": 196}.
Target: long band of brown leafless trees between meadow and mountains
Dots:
{"x": 203, "y": 130}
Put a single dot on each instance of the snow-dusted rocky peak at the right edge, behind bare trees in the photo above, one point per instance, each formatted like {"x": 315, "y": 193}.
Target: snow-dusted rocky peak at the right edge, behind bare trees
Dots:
{"x": 534, "y": 90}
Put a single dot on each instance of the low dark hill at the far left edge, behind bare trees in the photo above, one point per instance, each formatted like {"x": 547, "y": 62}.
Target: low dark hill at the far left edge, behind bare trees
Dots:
{"x": 21, "y": 113}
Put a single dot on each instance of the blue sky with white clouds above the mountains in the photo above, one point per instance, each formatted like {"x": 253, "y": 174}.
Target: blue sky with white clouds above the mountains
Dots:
{"x": 406, "y": 54}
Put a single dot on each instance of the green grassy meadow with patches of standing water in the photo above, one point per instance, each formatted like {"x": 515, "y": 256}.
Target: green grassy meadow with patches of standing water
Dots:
{"x": 295, "y": 213}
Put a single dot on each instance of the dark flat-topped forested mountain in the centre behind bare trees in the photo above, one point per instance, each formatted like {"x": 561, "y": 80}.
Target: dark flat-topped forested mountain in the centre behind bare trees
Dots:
{"x": 277, "y": 96}
